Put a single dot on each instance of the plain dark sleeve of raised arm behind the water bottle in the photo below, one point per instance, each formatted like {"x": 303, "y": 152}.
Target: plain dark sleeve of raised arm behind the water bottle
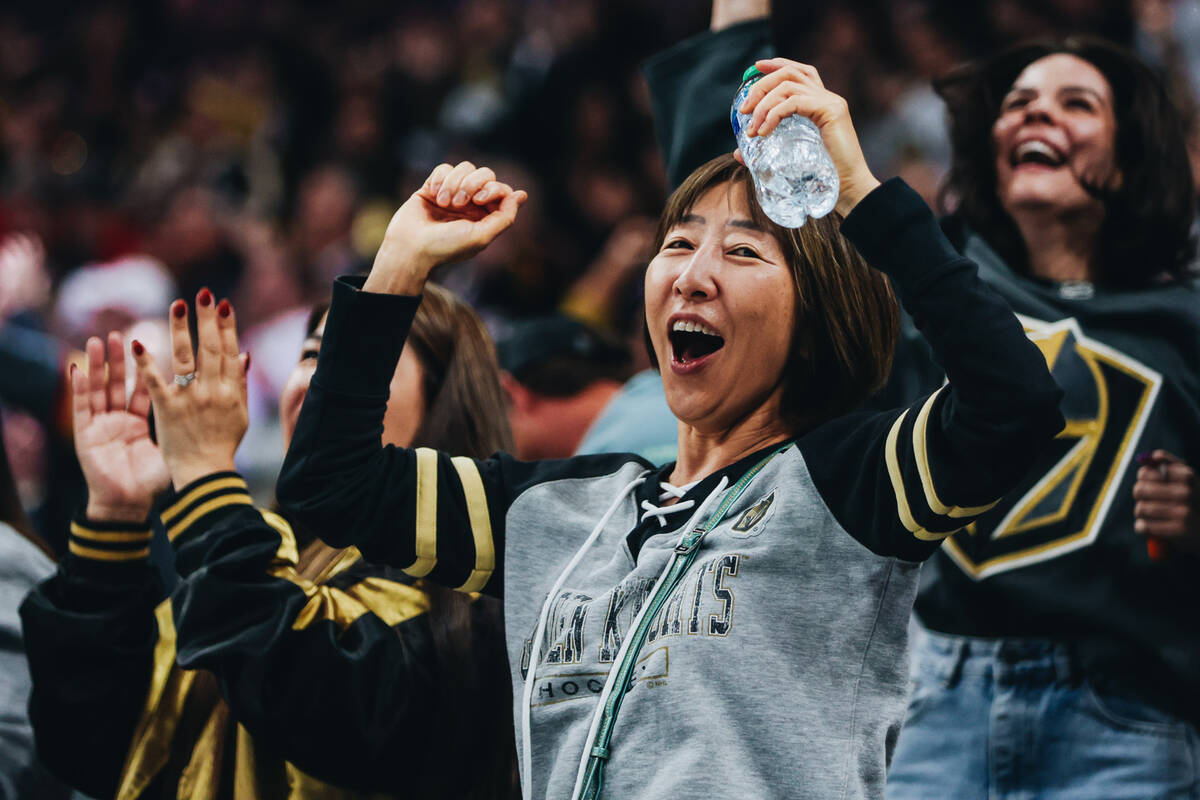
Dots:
{"x": 692, "y": 89}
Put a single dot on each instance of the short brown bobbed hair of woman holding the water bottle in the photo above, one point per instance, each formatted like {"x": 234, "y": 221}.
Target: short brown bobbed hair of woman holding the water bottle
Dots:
{"x": 847, "y": 316}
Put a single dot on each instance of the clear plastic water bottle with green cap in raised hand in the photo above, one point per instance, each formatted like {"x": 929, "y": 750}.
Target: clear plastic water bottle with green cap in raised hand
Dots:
{"x": 794, "y": 176}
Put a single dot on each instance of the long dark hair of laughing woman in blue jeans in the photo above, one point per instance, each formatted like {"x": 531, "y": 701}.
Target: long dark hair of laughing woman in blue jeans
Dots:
{"x": 1147, "y": 231}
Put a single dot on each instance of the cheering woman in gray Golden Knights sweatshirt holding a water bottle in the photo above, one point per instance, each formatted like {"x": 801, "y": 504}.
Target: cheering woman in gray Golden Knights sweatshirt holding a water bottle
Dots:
{"x": 739, "y": 616}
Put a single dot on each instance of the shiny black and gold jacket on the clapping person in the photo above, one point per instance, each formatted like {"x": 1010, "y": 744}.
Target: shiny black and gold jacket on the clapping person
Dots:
{"x": 250, "y": 682}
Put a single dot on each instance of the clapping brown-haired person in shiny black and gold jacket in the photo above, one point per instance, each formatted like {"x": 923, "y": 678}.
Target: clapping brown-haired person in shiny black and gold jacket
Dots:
{"x": 218, "y": 693}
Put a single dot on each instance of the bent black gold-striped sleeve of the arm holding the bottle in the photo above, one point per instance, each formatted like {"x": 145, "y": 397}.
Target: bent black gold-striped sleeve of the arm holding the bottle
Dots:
{"x": 902, "y": 482}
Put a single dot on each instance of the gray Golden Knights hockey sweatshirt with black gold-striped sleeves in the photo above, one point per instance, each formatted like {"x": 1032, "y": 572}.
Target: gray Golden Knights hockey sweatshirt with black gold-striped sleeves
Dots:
{"x": 777, "y": 667}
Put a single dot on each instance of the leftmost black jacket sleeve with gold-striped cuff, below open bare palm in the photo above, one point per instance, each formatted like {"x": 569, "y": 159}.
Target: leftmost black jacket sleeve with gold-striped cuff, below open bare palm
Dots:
{"x": 91, "y": 636}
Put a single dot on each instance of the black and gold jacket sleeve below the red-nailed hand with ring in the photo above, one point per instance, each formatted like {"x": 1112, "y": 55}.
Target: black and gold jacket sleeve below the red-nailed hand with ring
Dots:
{"x": 339, "y": 676}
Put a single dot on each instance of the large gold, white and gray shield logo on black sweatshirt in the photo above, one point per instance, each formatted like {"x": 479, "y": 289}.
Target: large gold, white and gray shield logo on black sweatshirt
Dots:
{"x": 1063, "y": 504}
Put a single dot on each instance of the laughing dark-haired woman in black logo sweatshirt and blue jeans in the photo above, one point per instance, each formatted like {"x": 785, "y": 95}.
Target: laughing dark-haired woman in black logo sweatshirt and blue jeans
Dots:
{"x": 1053, "y": 616}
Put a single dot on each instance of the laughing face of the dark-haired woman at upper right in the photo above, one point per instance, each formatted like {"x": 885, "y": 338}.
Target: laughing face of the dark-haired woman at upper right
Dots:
{"x": 1055, "y": 135}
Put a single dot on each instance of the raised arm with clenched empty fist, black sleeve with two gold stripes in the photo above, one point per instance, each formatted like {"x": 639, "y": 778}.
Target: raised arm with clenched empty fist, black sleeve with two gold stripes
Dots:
{"x": 419, "y": 510}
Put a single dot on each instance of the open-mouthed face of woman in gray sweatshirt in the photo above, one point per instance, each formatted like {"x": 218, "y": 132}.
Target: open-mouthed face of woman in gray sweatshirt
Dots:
{"x": 721, "y": 306}
